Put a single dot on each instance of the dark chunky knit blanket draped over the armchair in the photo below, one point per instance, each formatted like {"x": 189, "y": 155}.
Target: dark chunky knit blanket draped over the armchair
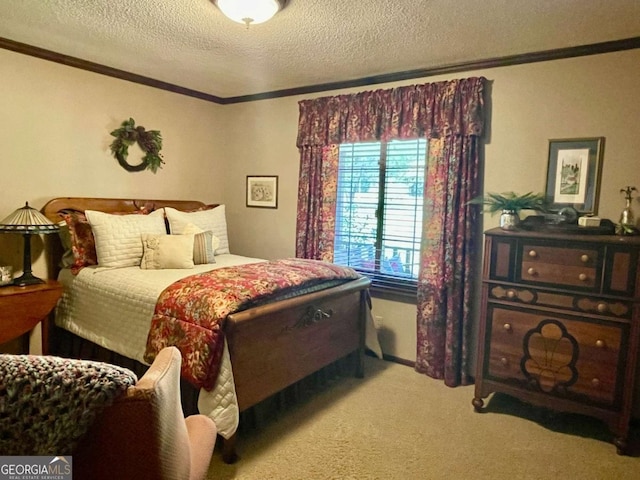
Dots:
{"x": 48, "y": 403}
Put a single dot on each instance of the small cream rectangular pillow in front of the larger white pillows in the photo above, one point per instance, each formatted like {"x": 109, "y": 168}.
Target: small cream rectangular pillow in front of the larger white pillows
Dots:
{"x": 167, "y": 251}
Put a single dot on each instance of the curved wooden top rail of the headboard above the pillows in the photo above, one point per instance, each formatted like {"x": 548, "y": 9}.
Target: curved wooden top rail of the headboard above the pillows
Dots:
{"x": 53, "y": 207}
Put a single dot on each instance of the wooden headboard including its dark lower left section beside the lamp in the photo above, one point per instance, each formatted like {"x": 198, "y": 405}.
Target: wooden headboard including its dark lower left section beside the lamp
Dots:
{"x": 53, "y": 208}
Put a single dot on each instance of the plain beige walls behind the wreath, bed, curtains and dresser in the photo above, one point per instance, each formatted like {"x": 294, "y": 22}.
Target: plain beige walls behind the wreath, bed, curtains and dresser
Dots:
{"x": 55, "y": 124}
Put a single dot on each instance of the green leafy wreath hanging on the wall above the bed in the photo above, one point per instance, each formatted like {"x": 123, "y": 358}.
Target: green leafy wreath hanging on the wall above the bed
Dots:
{"x": 149, "y": 141}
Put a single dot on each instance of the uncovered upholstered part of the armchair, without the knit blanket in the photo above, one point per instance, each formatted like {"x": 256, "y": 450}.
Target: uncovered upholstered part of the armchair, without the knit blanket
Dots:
{"x": 144, "y": 435}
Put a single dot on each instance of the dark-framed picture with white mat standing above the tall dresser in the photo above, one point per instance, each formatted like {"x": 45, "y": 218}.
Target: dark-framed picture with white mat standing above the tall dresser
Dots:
{"x": 573, "y": 174}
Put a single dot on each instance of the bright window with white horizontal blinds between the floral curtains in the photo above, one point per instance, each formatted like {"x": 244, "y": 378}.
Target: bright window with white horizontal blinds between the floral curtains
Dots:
{"x": 379, "y": 212}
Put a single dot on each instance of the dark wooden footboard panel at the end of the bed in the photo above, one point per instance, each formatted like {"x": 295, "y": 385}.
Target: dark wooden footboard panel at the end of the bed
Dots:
{"x": 272, "y": 348}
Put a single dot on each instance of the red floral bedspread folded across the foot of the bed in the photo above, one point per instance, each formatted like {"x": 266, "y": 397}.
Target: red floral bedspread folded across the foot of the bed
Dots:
{"x": 190, "y": 313}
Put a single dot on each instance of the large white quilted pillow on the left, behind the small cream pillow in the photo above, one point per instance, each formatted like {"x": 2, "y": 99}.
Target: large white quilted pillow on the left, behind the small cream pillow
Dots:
{"x": 119, "y": 237}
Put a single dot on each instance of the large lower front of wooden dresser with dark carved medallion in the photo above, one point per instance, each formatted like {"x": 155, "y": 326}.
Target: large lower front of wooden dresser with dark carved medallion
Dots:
{"x": 558, "y": 355}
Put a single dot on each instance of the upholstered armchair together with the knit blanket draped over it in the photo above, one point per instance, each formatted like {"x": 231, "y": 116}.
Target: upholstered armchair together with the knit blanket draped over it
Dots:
{"x": 112, "y": 424}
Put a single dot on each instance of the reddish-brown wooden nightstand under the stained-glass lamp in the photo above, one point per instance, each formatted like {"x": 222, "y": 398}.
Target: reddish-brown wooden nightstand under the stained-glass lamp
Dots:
{"x": 22, "y": 308}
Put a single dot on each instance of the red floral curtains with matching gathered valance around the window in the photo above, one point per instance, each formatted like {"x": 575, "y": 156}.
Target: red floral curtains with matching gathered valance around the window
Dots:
{"x": 451, "y": 115}
